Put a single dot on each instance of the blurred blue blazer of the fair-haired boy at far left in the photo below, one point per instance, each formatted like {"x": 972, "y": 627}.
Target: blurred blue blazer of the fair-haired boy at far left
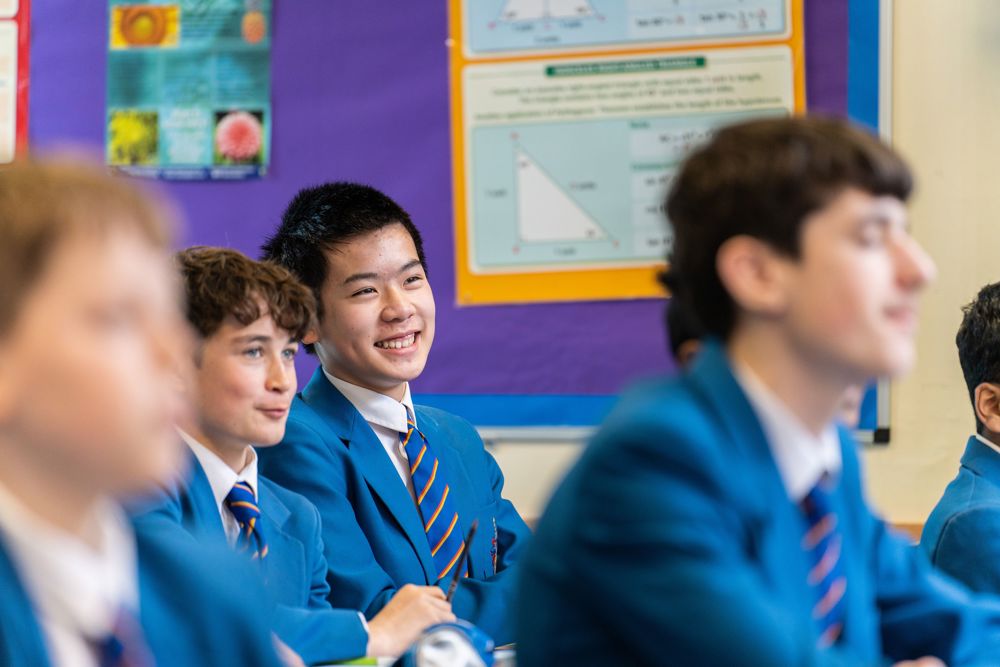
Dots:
{"x": 189, "y": 615}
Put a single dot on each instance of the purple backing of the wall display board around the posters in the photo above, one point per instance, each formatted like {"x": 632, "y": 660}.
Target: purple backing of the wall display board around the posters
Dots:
{"x": 360, "y": 92}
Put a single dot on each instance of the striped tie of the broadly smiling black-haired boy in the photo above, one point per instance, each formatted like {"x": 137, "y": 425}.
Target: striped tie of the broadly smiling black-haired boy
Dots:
{"x": 437, "y": 510}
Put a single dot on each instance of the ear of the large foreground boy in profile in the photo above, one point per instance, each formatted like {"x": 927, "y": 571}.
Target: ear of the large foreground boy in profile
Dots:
{"x": 754, "y": 274}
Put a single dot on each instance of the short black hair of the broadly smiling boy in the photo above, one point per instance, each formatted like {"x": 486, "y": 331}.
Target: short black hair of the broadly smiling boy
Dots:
{"x": 320, "y": 217}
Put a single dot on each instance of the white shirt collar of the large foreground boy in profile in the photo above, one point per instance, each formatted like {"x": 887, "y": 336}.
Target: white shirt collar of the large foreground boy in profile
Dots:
{"x": 802, "y": 457}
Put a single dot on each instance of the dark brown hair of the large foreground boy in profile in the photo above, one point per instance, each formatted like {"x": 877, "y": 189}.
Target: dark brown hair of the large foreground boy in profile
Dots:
{"x": 762, "y": 179}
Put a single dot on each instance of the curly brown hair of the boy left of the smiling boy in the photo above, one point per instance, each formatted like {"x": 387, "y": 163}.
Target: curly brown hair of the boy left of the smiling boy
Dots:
{"x": 220, "y": 283}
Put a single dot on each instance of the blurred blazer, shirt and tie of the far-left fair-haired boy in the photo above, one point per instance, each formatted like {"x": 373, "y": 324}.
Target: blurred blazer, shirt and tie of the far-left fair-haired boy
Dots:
{"x": 64, "y": 602}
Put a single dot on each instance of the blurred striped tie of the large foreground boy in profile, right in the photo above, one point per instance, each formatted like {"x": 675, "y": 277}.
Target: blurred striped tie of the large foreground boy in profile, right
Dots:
{"x": 822, "y": 544}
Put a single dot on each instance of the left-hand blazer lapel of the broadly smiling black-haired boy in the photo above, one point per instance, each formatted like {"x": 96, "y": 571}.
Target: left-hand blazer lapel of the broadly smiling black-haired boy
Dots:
{"x": 369, "y": 456}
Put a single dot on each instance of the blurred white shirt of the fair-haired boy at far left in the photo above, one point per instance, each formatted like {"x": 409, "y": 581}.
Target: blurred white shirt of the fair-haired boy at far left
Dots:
{"x": 77, "y": 590}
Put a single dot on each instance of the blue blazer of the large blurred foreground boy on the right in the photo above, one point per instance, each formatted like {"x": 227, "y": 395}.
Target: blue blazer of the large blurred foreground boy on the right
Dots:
{"x": 673, "y": 542}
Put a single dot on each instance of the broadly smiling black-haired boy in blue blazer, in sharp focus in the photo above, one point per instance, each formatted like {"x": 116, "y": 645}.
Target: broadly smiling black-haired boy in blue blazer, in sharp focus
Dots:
{"x": 397, "y": 485}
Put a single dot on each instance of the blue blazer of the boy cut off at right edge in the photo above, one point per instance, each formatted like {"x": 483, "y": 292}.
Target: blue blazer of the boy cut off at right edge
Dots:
{"x": 962, "y": 533}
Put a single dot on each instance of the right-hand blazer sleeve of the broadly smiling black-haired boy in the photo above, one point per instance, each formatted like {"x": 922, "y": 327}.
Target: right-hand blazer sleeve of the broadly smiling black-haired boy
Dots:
{"x": 489, "y": 602}
